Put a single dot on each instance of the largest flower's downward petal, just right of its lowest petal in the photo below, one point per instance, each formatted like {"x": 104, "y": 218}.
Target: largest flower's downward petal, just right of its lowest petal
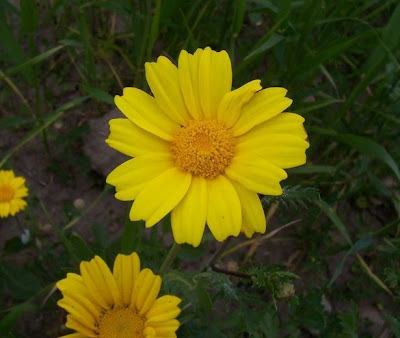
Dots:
{"x": 224, "y": 216}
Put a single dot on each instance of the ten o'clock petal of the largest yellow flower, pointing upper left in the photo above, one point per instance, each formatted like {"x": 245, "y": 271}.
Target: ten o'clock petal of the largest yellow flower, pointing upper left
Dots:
{"x": 142, "y": 109}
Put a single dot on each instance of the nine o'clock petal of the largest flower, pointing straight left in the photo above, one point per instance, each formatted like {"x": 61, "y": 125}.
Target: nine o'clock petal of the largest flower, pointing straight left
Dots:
{"x": 132, "y": 140}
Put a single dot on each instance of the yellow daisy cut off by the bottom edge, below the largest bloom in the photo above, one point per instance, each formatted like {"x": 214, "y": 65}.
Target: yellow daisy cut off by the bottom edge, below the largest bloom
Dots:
{"x": 118, "y": 304}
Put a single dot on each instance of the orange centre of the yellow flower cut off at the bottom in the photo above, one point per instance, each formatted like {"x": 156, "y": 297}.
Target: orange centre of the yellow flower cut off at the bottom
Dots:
{"x": 121, "y": 323}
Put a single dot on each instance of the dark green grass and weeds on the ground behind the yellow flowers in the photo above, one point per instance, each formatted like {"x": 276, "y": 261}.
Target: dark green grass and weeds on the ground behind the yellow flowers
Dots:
{"x": 337, "y": 271}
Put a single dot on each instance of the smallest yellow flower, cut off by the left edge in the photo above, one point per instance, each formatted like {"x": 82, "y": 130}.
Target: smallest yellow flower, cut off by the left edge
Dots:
{"x": 12, "y": 190}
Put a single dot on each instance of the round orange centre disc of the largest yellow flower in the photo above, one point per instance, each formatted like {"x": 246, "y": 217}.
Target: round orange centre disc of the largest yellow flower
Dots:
{"x": 204, "y": 148}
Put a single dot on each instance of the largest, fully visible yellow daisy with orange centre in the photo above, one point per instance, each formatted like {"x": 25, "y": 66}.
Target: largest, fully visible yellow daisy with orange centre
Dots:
{"x": 202, "y": 151}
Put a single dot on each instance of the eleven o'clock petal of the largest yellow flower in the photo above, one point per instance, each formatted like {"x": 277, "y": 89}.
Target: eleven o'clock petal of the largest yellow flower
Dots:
{"x": 162, "y": 77}
